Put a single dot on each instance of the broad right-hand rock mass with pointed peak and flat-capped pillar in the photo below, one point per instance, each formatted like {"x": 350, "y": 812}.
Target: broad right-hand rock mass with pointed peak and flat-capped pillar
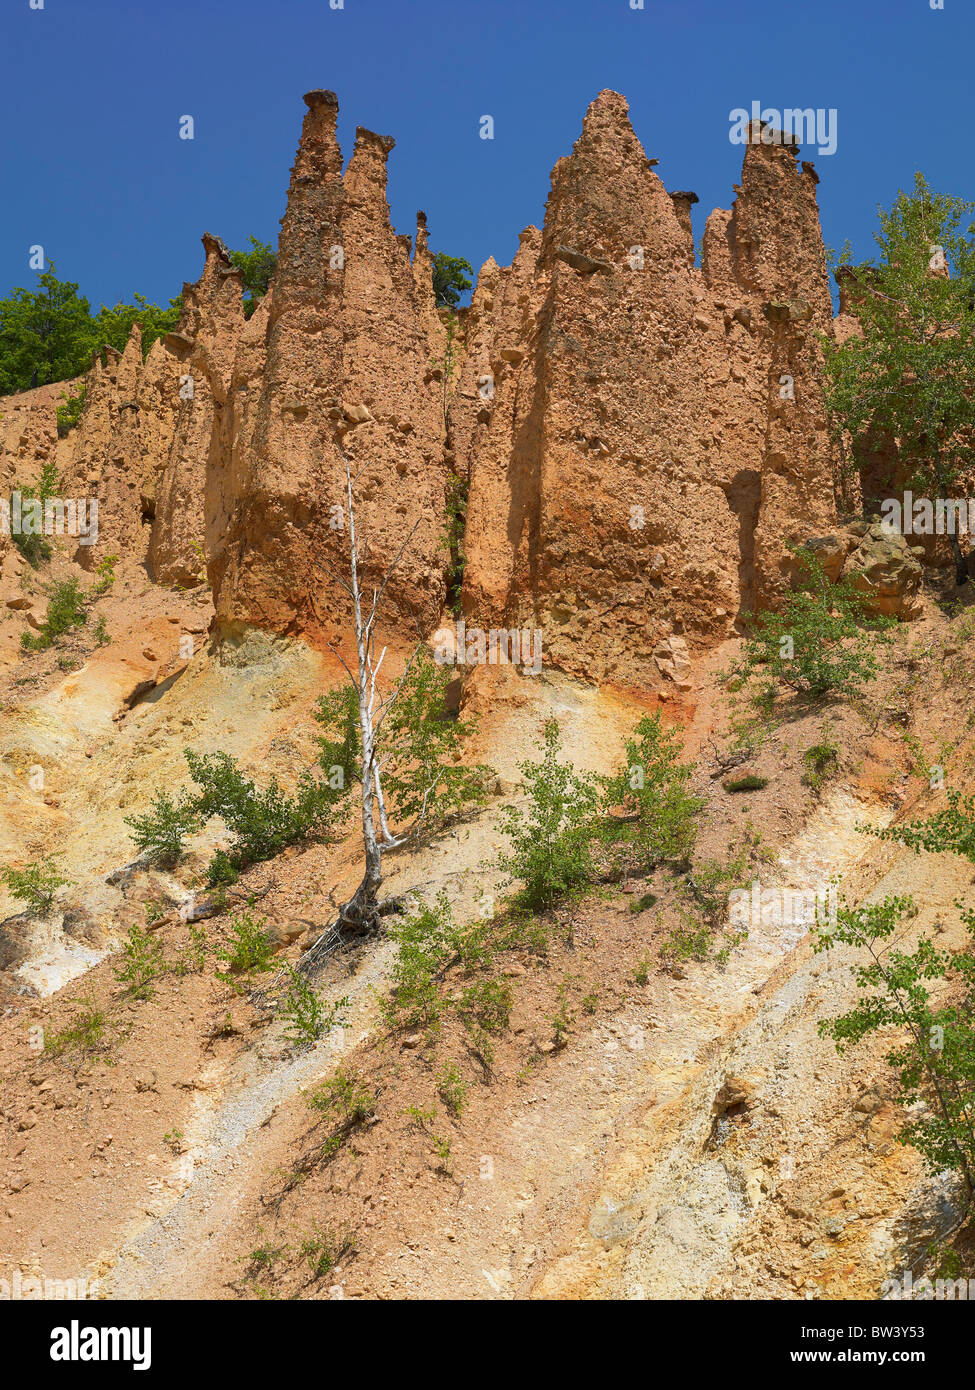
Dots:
{"x": 657, "y": 433}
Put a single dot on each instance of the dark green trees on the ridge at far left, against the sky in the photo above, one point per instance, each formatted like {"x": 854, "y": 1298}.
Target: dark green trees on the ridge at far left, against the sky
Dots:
{"x": 51, "y": 333}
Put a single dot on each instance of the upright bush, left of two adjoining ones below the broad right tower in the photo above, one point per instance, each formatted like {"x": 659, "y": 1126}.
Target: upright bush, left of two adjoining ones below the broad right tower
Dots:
{"x": 551, "y": 843}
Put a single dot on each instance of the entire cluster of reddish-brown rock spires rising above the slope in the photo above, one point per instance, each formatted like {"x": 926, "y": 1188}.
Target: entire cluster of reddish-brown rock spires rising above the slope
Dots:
{"x": 643, "y": 439}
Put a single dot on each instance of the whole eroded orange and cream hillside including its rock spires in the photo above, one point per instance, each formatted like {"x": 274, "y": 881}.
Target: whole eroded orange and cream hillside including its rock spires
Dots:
{"x": 620, "y": 445}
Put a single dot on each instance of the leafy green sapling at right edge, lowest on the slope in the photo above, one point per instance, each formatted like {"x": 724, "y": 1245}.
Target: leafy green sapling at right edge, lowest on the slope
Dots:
{"x": 935, "y": 1053}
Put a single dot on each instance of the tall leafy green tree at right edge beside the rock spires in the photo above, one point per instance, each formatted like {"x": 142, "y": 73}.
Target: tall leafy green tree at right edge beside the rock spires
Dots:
{"x": 912, "y": 375}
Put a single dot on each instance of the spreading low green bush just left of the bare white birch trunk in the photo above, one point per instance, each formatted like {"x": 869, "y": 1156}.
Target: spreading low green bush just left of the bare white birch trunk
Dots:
{"x": 262, "y": 822}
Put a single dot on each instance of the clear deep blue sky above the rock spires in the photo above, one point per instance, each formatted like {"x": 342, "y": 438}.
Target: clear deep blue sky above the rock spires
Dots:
{"x": 92, "y": 92}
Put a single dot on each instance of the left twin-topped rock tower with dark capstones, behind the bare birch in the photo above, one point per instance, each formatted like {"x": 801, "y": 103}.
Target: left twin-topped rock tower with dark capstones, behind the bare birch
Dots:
{"x": 347, "y": 379}
